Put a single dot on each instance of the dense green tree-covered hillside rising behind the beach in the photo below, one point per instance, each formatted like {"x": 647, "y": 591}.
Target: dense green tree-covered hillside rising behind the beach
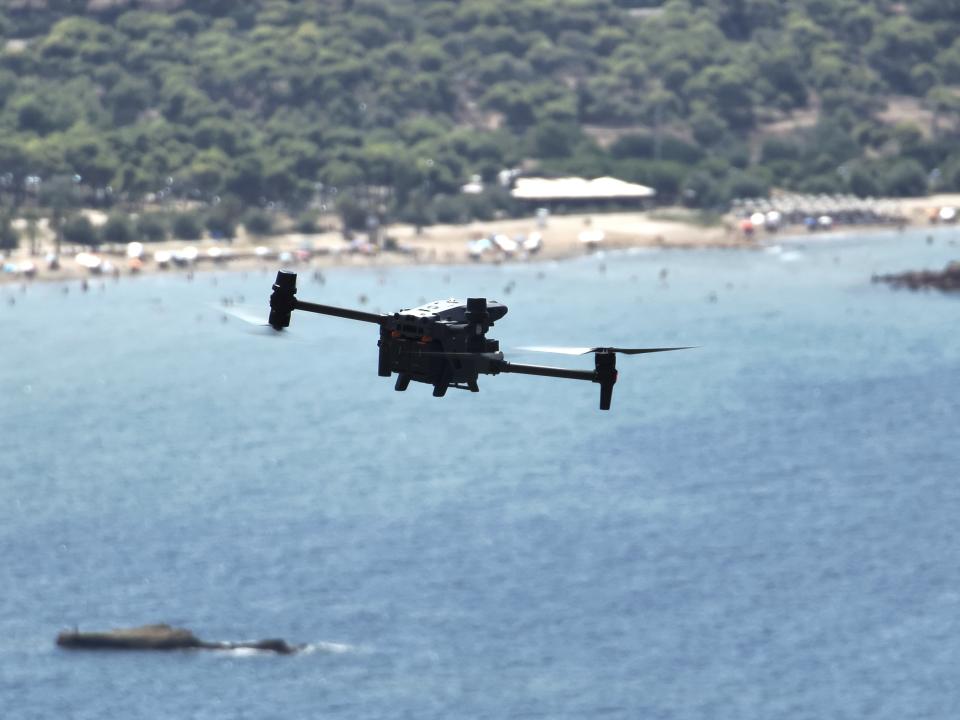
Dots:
{"x": 397, "y": 103}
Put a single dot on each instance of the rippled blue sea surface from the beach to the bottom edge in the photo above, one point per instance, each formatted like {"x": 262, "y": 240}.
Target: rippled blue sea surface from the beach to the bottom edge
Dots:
{"x": 767, "y": 526}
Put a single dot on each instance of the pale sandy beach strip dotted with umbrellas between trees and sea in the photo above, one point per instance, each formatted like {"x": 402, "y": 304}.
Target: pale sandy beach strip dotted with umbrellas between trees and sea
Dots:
{"x": 562, "y": 236}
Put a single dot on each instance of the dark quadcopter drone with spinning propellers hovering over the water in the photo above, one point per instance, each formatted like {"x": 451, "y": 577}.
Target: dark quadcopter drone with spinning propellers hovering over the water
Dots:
{"x": 444, "y": 343}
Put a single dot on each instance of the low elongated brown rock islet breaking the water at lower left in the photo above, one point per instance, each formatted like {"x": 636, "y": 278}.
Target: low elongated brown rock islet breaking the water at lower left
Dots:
{"x": 162, "y": 637}
